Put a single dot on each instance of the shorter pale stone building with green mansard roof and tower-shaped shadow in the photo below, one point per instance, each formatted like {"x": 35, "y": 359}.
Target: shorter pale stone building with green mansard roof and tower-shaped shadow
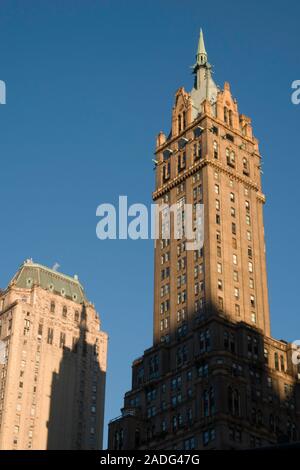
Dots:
{"x": 52, "y": 364}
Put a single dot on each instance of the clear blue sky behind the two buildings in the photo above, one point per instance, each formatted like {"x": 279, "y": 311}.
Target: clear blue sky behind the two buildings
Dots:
{"x": 89, "y": 84}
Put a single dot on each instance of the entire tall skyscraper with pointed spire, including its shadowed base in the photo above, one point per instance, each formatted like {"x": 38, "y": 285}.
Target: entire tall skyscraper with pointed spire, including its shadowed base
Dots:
{"x": 214, "y": 378}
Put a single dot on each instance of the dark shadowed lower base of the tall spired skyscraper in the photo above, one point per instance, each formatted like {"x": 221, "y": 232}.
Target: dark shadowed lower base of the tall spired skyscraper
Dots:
{"x": 228, "y": 387}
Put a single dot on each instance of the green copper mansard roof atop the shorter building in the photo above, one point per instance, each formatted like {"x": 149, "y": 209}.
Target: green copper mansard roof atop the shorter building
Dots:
{"x": 31, "y": 274}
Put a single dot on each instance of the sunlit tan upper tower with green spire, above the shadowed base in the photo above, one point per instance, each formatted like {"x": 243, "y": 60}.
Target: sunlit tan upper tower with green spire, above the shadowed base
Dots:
{"x": 211, "y": 157}
